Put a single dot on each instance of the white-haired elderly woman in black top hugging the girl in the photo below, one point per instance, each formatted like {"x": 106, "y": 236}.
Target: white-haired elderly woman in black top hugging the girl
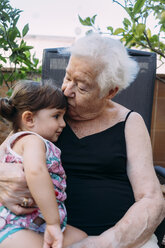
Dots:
{"x": 113, "y": 192}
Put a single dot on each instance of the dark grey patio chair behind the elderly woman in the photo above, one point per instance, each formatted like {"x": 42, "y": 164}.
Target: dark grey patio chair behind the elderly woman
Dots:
{"x": 138, "y": 96}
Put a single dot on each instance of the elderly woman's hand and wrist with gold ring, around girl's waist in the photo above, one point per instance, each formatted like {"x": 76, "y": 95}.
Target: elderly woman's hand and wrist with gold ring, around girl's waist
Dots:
{"x": 13, "y": 188}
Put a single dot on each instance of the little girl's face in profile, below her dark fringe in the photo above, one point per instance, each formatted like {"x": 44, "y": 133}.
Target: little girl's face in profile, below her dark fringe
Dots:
{"x": 49, "y": 123}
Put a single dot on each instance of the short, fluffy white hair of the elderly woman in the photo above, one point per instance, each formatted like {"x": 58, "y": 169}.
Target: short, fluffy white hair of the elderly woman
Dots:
{"x": 117, "y": 69}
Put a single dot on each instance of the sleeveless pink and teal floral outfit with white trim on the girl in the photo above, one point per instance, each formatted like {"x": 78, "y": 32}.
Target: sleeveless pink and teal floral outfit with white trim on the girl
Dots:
{"x": 9, "y": 222}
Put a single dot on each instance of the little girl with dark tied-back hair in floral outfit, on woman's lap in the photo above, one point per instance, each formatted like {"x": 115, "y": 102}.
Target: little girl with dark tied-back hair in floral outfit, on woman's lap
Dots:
{"x": 37, "y": 112}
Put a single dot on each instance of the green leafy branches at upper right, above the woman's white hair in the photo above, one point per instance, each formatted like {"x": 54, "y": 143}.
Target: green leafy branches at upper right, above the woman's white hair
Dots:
{"x": 136, "y": 29}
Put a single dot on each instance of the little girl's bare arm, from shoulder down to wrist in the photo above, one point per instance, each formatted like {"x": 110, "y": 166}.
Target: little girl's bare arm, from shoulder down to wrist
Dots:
{"x": 38, "y": 178}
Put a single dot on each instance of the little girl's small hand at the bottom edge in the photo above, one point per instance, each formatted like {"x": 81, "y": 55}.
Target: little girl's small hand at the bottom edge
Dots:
{"x": 53, "y": 237}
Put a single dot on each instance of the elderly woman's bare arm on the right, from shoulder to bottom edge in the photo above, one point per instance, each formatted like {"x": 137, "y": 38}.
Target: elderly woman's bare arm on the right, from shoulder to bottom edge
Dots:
{"x": 141, "y": 220}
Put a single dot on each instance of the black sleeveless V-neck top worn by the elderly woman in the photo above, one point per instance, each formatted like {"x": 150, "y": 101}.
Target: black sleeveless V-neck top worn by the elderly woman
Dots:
{"x": 98, "y": 189}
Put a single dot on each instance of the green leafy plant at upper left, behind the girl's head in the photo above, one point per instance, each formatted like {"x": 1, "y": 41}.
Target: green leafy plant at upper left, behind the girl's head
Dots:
{"x": 14, "y": 52}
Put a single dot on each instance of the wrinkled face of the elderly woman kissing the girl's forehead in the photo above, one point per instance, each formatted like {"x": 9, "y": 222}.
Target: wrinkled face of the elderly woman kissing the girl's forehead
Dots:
{"x": 81, "y": 89}
